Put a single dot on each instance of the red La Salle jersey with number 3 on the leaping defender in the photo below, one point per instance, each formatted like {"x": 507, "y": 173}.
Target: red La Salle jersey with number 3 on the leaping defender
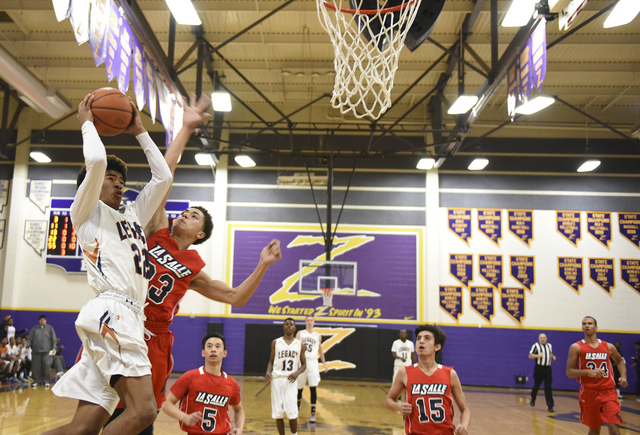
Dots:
{"x": 174, "y": 270}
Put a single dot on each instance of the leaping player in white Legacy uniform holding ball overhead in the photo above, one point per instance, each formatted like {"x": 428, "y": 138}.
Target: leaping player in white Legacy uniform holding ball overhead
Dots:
{"x": 114, "y": 364}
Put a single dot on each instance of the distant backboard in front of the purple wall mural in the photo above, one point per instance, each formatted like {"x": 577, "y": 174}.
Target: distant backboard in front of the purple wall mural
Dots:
{"x": 342, "y": 276}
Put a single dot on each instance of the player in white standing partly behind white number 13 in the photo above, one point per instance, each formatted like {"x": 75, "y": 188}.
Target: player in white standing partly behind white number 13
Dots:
{"x": 312, "y": 341}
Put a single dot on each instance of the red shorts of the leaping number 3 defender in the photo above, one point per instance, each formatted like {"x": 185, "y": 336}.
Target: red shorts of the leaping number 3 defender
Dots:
{"x": 160, "y": 345}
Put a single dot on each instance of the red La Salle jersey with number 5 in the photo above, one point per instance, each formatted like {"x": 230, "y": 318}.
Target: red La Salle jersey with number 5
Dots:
{"x": 202, "y": 392}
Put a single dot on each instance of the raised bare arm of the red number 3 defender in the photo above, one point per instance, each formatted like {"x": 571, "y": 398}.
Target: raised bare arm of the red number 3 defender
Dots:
{"x": 195, "y": 113}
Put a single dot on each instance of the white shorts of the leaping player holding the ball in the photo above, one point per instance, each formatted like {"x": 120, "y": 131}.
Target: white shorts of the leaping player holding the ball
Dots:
{"x": 111, "y": 328}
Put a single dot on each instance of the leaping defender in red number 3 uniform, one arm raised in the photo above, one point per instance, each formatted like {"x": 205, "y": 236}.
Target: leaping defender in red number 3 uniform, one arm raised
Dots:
{"x": 176, "y": 268}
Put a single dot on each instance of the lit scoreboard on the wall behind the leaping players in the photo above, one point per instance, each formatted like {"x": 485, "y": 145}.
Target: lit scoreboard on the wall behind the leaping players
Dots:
{"x": 63, "y": 247}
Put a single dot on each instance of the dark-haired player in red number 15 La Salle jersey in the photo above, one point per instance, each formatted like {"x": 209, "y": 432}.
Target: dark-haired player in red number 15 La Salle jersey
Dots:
{"x": 430, "y": 388}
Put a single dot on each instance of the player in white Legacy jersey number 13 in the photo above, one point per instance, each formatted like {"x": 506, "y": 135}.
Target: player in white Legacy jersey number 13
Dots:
{"x": 285, "y": 365}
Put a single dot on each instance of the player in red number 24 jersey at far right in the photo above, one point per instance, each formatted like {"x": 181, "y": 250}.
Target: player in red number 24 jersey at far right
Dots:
{"x": 589, "y": 362}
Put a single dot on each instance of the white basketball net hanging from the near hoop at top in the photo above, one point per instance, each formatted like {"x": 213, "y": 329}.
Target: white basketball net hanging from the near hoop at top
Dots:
{"x": 367, "y": 44}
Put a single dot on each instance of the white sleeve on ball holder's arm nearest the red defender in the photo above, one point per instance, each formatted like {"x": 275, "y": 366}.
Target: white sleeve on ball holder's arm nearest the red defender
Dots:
{"x": 153, "y": 193}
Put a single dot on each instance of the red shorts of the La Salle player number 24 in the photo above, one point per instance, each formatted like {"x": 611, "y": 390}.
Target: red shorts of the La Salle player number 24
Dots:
{"x": 598, "y": 407}
